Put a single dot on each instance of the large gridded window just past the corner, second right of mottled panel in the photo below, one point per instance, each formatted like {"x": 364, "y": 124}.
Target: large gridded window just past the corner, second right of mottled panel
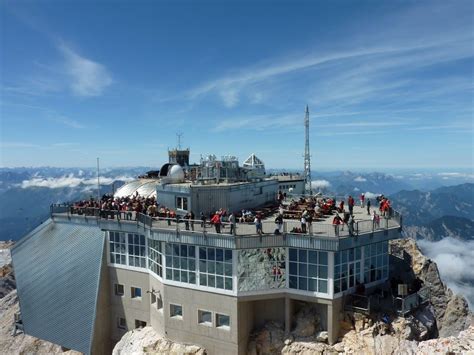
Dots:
{"x": 347, "y": 269}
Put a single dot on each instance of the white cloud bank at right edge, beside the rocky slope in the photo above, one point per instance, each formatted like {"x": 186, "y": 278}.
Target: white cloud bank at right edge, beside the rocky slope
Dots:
{"x": 455, "y": 260}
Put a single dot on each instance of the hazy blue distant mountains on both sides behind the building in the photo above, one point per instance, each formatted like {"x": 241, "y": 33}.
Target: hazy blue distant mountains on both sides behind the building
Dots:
{"x": 27, "y": 193}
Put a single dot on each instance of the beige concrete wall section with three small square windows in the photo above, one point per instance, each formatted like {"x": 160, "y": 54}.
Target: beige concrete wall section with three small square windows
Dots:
{"x": 213, "y": 339}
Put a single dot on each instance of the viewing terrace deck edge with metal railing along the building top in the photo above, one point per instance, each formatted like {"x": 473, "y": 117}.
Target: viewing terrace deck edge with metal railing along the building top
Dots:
{"x": 327, "y": 235}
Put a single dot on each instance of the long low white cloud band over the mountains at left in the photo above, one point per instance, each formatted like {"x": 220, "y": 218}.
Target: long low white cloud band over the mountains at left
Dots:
{"x": 69, "y": 181}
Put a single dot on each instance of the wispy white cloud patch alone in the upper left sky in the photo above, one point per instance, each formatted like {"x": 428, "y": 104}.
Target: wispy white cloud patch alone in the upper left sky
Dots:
{"x": 88, "y": 78}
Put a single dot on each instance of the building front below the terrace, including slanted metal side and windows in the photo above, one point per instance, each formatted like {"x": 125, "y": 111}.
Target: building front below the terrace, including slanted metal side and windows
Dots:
{"x": 191, "y": 286}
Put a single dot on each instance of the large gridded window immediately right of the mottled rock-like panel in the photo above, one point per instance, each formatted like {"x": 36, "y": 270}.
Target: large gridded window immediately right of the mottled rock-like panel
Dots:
{"x": 308, "y": 270}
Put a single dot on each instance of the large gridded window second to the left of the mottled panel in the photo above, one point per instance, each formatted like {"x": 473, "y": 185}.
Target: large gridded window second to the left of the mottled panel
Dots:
{"x": 181, "y": 262}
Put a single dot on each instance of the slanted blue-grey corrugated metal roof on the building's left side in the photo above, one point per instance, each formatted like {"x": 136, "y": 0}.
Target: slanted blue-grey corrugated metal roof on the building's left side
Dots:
{"x": 57, "y": 269}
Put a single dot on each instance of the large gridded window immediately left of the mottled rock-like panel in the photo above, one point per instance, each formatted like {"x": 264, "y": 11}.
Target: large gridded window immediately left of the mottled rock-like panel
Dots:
{"x": 215, "y": 268}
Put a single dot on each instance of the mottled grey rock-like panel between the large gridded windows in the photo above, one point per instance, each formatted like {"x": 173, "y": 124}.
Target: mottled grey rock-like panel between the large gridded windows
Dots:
{"x": 261, "y": 269}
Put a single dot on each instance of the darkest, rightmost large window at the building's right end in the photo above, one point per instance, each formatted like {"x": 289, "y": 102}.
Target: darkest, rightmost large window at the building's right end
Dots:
{"x": 375, "y": 262}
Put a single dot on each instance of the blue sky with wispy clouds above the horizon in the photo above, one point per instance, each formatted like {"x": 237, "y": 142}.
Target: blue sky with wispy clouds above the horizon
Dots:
{"x": 389, "y": 84}
